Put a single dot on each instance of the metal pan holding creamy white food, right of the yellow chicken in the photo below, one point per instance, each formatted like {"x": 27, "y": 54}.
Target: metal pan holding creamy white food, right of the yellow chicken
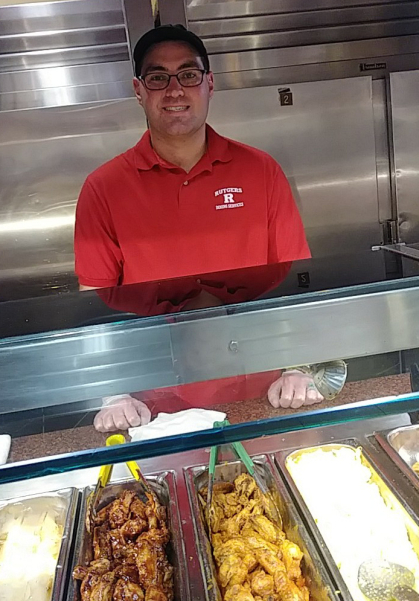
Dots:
{"x": 388, "y": 493}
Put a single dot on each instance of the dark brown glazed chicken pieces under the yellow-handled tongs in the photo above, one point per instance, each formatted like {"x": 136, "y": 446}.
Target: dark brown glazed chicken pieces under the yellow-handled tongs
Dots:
{"x": 130, "y": 562}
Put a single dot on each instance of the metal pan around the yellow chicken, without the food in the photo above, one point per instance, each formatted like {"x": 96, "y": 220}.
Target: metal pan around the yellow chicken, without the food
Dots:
{"x": 318, "y": 580}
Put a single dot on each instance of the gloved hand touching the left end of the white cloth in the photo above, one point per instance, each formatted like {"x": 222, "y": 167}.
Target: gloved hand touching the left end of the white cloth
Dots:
{"x": 120, "y": 413}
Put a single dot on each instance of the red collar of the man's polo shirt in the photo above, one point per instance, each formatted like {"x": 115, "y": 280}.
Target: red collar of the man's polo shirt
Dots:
{"x": 218, "y": 149}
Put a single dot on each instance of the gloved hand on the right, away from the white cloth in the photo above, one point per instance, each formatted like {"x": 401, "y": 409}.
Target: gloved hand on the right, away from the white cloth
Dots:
{"x": 293, "y": 390}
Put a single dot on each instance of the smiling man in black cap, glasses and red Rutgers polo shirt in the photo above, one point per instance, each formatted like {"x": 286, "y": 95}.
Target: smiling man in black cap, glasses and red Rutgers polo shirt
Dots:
{"x": 184, "y": 201}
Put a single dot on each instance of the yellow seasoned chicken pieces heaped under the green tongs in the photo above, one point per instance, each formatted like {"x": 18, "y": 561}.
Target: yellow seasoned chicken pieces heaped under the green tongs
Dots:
{"x": 255, "y": 561}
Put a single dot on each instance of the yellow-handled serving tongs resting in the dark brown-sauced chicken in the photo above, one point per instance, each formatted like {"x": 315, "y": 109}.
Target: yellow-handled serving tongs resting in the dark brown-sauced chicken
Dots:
{"x": 104, "y": 477}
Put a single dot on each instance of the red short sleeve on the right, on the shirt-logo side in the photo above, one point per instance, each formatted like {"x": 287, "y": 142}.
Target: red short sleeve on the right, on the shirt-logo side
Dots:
{"x": 287, "y": 240}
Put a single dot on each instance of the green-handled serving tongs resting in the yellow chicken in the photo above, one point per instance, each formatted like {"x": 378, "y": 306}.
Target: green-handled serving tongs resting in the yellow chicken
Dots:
{"x": 241, "y": 453}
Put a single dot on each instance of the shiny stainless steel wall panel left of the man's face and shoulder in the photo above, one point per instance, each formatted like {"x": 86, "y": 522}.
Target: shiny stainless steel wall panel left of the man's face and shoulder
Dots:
{"x": 44, "y": 157}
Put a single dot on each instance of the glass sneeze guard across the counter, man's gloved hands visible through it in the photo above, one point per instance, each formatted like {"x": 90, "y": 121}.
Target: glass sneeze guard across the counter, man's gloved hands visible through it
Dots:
{"x": 78, "y": 367}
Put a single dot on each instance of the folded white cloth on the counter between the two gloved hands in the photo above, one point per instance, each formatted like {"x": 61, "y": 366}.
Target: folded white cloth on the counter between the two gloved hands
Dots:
{"x": 169, "y": 424}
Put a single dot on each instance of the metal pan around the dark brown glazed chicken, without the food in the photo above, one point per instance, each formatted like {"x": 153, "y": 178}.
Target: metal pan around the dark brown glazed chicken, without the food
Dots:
{"x": 164, "y": 487}
